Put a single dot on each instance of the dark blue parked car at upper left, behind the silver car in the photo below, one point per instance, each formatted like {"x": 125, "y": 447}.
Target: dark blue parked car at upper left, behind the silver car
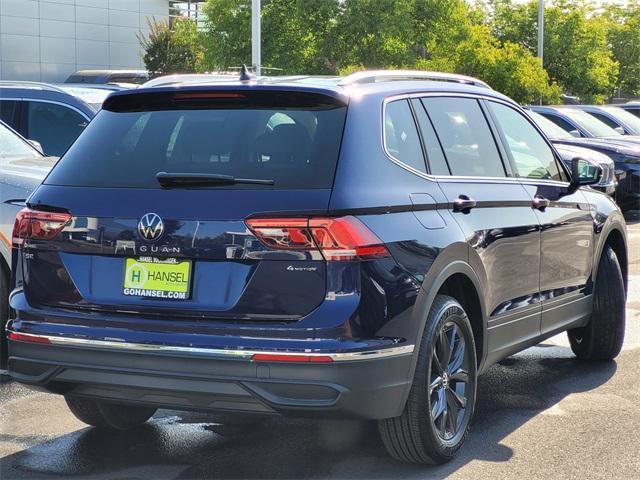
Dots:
{"x": 45, "y": 113}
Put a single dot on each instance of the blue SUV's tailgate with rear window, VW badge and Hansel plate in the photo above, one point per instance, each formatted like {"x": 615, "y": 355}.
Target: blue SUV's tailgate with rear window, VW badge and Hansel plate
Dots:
{"x": 179, "y": 251}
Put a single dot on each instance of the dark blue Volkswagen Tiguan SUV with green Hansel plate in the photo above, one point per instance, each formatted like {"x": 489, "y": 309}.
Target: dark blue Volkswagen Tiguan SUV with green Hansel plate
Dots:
{"x": 361, "y": 246}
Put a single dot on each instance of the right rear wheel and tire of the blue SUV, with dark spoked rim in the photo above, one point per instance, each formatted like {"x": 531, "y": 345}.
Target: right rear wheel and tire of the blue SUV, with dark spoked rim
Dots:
{"x": 418, "y": 436}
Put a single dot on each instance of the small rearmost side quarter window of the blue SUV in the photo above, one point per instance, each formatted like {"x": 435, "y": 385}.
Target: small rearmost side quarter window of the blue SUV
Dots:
{"x": 401, "y": 135}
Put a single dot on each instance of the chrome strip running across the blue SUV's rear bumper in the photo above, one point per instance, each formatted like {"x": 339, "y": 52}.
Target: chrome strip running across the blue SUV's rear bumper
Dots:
{"x": 238, "y": 354}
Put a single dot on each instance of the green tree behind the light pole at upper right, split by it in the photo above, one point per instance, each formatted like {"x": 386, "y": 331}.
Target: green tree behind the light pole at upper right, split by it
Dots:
{"x": 576, "y": 51}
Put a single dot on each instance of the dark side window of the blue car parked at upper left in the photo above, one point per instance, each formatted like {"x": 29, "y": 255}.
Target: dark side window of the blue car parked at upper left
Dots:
{"x": 55, "y": 126}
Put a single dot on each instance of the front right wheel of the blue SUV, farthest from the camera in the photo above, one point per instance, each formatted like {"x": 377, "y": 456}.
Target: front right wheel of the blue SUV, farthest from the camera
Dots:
{"x": 602, "y": 337}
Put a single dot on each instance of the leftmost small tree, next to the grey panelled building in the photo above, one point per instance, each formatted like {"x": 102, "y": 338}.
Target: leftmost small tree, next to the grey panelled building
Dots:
{"x": 171, "y": 50}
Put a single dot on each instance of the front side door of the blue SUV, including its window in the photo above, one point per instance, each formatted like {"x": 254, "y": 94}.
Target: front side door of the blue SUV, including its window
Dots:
{"x": 567, "y": 223}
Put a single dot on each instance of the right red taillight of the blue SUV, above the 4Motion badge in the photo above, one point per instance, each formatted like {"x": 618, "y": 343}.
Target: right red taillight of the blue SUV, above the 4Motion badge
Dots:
{"x": 342, "y": 238}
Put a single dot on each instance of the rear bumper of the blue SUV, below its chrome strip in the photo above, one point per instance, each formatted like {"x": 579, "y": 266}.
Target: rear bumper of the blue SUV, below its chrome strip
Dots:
{"x": 371, "y": 384}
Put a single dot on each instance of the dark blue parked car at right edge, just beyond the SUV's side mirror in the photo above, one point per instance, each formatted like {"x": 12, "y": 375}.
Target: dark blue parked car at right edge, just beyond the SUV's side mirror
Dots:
{"x": 626, "y": 156}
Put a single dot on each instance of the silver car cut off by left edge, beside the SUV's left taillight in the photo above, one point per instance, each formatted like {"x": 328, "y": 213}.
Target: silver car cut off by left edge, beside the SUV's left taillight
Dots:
{"x": 22, "y": 168}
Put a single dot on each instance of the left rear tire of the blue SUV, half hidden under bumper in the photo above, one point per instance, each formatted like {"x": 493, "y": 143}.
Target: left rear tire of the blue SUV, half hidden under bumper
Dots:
{"x": 108, "y": 415}
